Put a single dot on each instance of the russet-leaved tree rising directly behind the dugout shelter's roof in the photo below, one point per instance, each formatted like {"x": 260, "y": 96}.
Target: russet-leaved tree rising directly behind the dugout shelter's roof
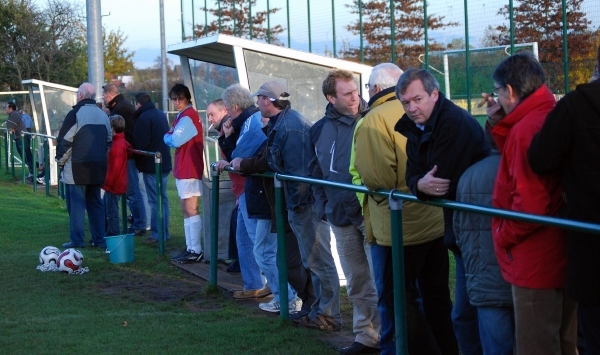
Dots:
{"x": 239, "y": 10}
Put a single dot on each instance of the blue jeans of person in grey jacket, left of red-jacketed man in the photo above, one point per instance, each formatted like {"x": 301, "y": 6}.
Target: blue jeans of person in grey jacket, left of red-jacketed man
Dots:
{"x": 497, "y": 330}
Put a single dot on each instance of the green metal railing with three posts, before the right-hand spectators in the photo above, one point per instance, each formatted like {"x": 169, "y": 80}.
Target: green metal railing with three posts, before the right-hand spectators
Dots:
{"x": 395, "y": 199}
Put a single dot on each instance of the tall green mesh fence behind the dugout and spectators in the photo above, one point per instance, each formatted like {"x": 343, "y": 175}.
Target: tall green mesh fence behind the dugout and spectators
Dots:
{"x": 362, "y": 31}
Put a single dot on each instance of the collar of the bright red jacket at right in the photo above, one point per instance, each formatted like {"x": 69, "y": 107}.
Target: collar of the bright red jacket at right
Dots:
{"x": 541, "y": 98}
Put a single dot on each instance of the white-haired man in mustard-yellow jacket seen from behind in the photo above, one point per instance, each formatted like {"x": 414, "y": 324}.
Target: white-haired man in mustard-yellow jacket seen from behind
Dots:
{"x": 380, "y": 161}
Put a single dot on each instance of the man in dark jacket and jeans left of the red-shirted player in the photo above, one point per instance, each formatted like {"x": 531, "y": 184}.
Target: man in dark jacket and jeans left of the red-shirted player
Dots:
{"x": 152, "y": 124}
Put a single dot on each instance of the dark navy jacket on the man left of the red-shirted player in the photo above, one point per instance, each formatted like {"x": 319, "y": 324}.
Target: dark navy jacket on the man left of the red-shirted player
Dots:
{"x": 151, "y": 126}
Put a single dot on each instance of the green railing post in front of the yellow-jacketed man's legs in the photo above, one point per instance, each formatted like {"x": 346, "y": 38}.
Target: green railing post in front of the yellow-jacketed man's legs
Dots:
{"x": 398, "y": 272}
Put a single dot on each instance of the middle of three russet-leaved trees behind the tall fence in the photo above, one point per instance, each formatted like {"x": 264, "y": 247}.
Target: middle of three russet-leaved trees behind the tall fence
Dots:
{"x": 408, "y": 35}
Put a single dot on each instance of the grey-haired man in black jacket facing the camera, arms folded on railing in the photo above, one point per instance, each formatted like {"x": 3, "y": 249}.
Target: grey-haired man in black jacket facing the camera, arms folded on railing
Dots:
{"x": 443, "y": 141}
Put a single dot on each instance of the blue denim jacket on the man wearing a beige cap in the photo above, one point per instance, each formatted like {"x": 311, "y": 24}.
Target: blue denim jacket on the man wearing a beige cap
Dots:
{"x": 289, "y": 152}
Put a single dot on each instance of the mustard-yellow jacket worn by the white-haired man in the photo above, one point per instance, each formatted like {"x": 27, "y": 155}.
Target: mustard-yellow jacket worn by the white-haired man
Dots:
{"x": 380, "y": 159}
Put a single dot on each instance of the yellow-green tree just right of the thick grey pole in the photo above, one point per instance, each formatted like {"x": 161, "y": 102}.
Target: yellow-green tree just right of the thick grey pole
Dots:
{"x": 117, "y": 59}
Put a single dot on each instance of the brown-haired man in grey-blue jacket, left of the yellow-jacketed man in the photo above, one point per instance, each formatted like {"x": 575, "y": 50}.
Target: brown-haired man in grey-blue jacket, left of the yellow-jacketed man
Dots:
{"x": 332, "y": 139}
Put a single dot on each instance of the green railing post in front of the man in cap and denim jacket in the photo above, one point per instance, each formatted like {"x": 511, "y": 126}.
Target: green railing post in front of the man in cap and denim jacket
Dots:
{"x": 281, "y": 248}
